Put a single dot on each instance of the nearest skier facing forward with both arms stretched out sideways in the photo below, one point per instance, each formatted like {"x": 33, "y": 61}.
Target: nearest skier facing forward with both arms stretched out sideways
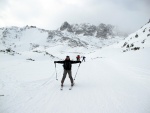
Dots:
{"x": 67, "y": 69}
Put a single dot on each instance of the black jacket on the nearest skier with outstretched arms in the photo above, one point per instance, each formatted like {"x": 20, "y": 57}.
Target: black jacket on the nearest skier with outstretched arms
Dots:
{"x": 67, "y": 64}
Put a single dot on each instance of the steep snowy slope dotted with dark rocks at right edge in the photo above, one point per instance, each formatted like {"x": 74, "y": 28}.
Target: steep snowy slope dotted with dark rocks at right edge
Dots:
{"x": 138, "y": 40}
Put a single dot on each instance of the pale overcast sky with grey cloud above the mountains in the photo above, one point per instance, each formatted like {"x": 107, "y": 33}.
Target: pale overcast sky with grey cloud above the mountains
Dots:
{"x": 128, "y": 15}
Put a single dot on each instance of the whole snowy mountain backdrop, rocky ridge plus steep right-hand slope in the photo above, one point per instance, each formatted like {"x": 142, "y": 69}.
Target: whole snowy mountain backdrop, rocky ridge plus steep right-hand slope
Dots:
{"x": 69, "y": 38}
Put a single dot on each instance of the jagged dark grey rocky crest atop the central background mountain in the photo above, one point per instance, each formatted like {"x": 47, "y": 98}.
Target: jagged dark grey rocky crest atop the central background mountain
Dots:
{"x": 100, "y": 31}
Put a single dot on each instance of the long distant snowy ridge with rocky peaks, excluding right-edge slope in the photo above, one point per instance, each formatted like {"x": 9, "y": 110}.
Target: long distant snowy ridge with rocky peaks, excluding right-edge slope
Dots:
{"x": 83, "y": 35}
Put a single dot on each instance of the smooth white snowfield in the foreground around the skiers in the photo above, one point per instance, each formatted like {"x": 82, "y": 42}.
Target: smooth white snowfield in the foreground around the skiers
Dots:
{"x": 116, "y": 83}
